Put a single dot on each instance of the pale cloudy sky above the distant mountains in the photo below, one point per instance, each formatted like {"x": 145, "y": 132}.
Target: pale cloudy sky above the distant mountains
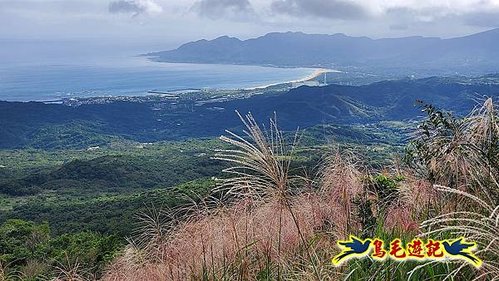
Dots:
{"x": 167, "y": 23}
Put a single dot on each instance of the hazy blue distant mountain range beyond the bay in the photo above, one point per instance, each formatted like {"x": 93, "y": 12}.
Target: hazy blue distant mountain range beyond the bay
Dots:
{"x": 477, "y": 53}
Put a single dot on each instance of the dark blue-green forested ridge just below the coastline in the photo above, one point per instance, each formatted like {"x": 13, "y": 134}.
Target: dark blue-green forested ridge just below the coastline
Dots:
{"x": 53, "y": 126}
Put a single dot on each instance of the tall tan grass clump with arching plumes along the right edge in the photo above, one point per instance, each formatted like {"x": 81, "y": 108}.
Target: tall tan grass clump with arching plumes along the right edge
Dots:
{"x": 469, "y": 167}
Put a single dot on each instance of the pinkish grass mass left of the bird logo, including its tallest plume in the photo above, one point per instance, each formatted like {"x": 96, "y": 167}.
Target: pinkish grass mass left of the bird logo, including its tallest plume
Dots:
{"x": 257, "y": 222}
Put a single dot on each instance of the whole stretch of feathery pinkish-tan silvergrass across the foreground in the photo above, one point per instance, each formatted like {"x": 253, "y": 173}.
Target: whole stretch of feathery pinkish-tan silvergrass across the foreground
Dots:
{"x": 262, "y": 222}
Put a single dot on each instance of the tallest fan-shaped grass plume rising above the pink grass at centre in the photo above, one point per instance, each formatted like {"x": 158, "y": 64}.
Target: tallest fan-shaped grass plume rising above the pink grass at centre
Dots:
{"x": 261, "y": 162}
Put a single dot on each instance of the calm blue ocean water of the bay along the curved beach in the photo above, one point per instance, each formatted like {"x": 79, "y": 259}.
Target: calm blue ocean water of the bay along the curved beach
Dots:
{"x": 132, "y": 76}
